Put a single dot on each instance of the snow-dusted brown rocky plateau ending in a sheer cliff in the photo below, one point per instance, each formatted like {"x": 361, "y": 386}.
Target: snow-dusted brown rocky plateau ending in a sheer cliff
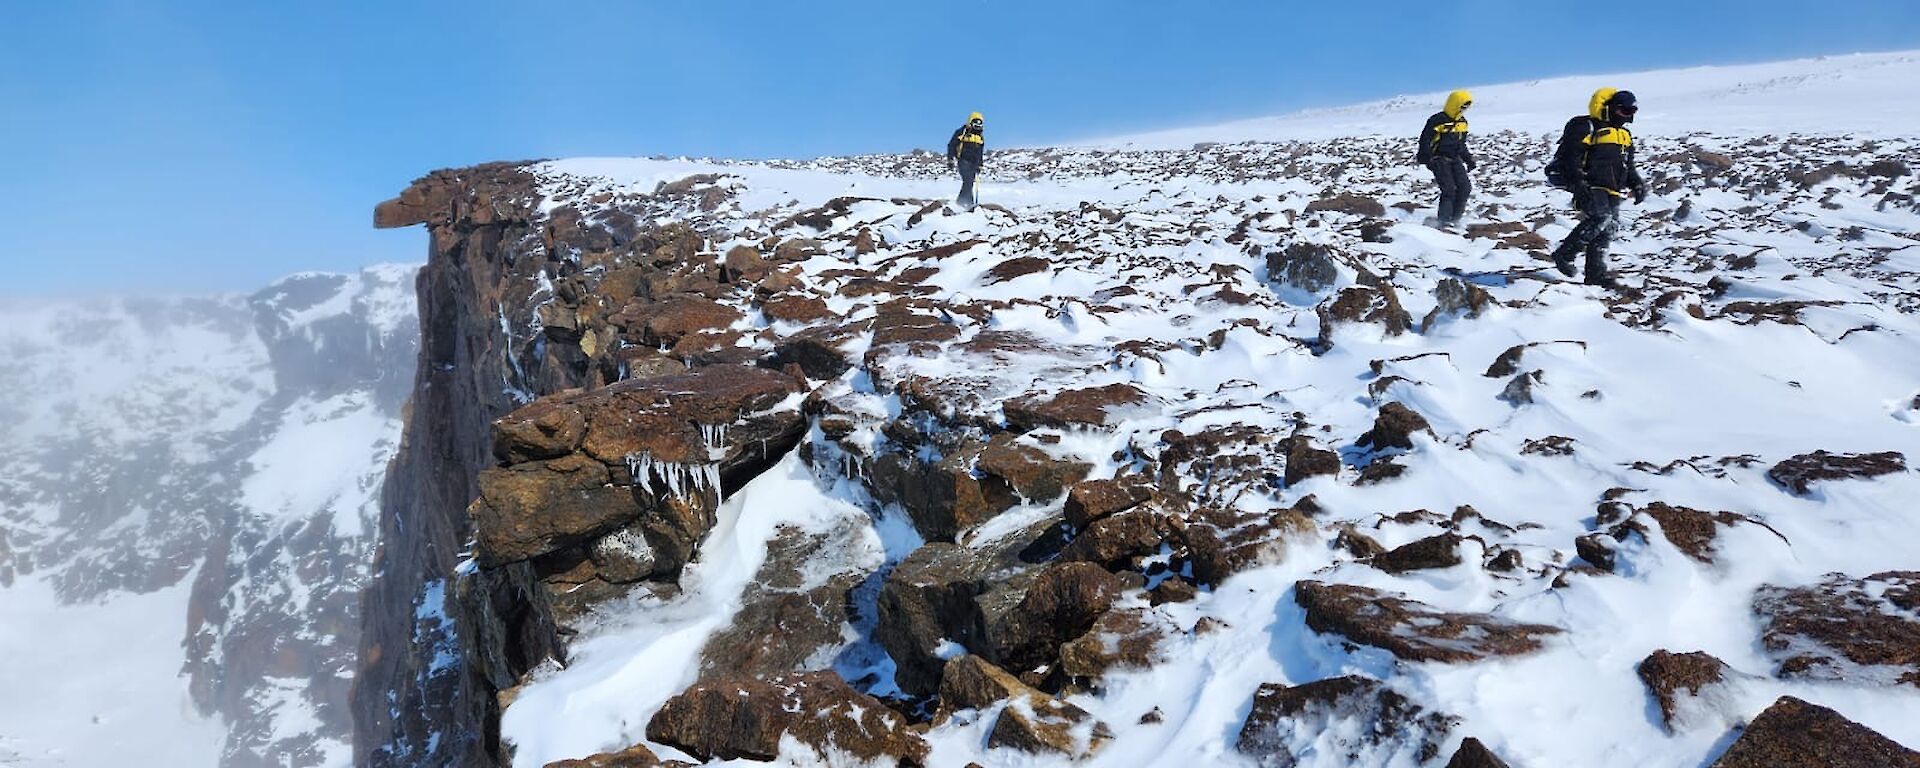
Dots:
{"x": 1157, "y": 404}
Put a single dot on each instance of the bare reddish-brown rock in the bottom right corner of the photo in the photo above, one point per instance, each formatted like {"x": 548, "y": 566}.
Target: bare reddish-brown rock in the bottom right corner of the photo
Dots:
{"x": 1796, "y": 734}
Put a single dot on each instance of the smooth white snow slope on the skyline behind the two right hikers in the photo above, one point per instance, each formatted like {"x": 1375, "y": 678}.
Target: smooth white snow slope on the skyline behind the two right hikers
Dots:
{"x": 1871, "y": 95}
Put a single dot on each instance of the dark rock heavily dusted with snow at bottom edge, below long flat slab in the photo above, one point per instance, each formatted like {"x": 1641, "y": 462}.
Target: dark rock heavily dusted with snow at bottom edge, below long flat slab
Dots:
{"x": 1355, "y": 717}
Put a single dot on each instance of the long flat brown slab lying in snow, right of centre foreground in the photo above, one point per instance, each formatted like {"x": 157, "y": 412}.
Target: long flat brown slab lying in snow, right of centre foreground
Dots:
{"x": 1414, "y": 631}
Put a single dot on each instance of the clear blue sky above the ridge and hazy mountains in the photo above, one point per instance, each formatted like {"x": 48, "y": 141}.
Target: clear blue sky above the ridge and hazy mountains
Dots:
{"x": 206, "y": 147}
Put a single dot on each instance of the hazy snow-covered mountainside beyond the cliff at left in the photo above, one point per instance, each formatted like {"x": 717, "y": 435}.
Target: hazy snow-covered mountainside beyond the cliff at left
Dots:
{"x": 187, "y": 491}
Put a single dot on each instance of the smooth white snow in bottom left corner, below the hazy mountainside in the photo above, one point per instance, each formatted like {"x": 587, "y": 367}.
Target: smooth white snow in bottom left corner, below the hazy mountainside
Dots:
{"x": 99, "y": 684}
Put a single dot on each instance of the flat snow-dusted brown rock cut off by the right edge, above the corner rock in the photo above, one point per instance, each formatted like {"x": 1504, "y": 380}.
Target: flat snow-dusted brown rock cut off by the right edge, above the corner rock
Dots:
{"x": 1846, "y": 629}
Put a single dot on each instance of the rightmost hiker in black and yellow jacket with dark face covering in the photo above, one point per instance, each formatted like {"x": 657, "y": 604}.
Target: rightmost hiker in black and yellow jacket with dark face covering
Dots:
{"x": 1596, "y": 164}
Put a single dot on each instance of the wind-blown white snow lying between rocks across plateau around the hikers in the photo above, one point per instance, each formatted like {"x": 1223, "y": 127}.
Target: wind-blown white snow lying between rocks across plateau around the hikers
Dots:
{"x": 1681, "y": 391}
